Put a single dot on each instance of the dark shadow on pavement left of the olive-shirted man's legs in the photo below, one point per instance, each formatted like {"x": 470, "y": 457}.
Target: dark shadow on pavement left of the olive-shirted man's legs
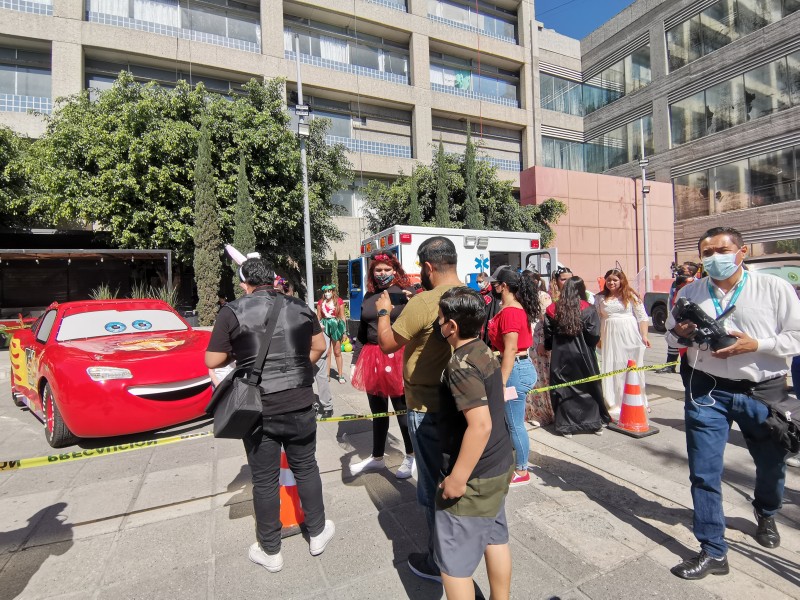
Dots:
{"x": 400, "y": 518}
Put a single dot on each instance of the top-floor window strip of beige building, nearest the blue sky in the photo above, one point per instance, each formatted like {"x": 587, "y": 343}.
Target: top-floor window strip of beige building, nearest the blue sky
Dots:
{"x": 479, "y": 17}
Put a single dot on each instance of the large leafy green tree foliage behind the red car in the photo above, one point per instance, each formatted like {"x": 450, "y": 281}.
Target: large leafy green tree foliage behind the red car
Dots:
{"x": 124, "y": 162}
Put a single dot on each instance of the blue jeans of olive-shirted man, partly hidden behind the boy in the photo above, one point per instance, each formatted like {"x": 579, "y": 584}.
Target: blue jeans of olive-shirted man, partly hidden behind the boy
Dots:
{"x": 423, "y": 427}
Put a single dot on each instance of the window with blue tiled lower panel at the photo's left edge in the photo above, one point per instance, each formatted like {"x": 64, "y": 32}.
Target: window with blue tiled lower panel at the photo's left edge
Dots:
{"x": 25, "y": 78}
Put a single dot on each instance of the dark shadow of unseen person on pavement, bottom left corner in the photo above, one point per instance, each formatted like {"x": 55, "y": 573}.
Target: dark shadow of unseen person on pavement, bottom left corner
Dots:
{"x": 23, "y": 564}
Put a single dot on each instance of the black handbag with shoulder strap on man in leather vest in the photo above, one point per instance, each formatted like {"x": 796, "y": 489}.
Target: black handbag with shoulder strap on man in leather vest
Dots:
{"x": 236, "y": 403}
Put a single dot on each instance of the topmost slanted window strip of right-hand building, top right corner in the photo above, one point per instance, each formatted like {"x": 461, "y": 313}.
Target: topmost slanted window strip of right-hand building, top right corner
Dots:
{"x": 720, "y": 24}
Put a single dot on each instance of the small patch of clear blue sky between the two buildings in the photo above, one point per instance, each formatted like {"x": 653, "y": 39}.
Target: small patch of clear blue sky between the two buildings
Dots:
{"x": 577, "y": 18}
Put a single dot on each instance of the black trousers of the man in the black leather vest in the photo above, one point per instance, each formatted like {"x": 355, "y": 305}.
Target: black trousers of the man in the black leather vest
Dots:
{"x": 297, "y": 433}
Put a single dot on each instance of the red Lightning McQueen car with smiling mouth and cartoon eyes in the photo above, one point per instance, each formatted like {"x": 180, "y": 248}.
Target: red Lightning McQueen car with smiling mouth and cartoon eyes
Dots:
{"x": 98, "y": 368}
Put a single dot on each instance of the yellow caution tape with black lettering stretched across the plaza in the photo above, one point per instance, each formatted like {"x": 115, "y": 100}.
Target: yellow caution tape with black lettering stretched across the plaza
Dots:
{"x": 40, "y": 461}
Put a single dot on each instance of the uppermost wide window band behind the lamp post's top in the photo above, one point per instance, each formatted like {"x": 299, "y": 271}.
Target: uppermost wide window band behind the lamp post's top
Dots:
{"x": 340, "y": 49}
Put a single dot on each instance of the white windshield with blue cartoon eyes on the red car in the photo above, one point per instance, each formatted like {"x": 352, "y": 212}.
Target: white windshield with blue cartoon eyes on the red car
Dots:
{"x": 117, "y": 322}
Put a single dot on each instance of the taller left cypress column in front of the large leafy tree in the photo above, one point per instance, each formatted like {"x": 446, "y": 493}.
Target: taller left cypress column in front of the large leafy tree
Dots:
{"x": 207, "y": 242}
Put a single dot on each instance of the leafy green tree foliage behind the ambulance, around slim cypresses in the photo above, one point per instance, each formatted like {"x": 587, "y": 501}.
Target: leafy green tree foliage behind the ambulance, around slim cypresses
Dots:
{"x": 388, "y": 204}
